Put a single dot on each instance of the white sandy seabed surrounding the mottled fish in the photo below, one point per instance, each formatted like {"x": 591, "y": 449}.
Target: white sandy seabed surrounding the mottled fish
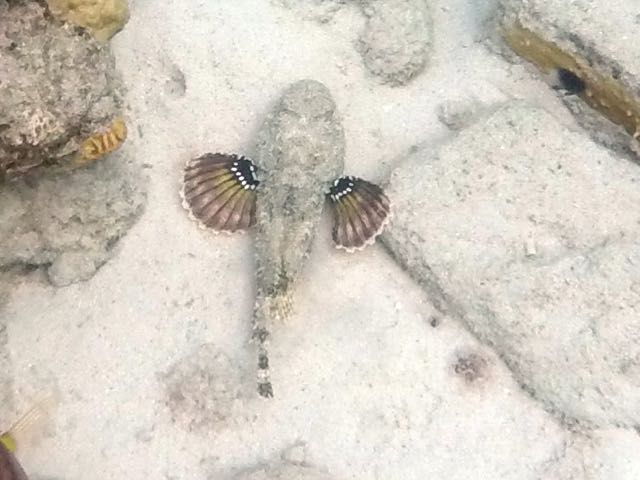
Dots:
{"x": 360, "y": 375}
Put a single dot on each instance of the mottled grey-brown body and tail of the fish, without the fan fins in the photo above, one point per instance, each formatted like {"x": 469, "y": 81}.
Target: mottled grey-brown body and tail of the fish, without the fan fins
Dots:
{"x": 300, "y": 152}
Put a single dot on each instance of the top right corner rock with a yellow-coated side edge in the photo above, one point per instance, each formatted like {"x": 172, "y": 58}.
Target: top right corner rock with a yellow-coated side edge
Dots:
{"x": 590, "y": 39}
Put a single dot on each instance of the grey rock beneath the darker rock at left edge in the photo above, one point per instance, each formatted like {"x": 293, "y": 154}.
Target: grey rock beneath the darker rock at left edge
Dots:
{"x": 69, "y": 223}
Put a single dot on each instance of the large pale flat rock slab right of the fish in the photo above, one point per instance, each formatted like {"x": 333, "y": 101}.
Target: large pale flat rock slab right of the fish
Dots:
{"x": 529, "y": 233}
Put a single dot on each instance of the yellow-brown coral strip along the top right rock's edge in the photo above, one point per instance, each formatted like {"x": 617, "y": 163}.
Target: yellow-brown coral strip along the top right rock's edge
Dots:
{"x": 603, "y": 92}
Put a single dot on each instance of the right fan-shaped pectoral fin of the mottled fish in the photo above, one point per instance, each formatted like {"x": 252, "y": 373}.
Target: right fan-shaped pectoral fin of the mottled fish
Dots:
{"x": 360, "y": 212}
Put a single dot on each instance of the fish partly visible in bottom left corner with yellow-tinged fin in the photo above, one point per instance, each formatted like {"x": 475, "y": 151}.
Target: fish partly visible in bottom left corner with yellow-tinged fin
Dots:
{"x": 20, "y": 432}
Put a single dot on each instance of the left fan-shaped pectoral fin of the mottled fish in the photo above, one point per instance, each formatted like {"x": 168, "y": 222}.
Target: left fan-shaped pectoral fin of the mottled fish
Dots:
{"x": 218, "y": 190}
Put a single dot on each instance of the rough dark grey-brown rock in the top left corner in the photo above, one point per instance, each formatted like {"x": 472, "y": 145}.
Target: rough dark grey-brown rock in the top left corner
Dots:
{"x": 58, "y": 88}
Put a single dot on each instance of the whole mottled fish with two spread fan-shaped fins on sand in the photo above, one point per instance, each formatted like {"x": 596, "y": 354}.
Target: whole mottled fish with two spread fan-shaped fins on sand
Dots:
{"x": 280, "y": 194}
